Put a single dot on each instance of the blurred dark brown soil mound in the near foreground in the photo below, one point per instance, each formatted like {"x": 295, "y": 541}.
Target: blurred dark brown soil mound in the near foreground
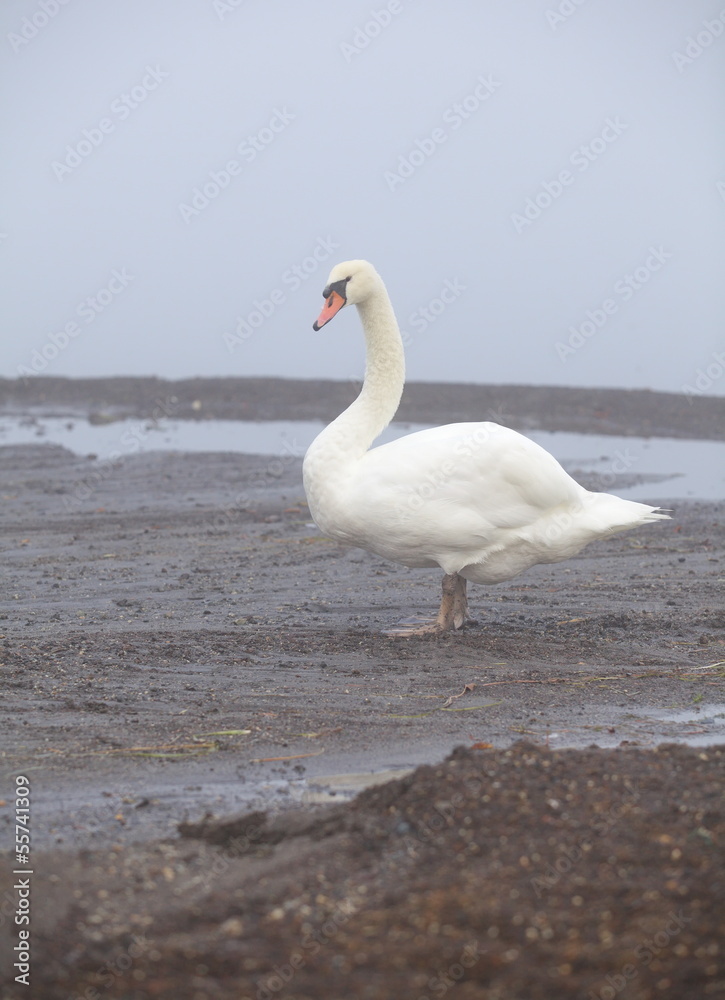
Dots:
{"x": 512, "y": 873}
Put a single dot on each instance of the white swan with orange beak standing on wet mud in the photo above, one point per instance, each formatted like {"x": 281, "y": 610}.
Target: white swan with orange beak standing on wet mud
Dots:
{"x": 479, "y": 500}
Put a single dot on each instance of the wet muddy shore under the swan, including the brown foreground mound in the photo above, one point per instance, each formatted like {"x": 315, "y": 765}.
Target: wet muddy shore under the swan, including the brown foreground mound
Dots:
{"x": 177, "y": 641}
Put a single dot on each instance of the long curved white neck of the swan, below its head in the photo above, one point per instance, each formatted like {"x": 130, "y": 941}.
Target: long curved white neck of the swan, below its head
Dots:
{"x": 357, "y": 427}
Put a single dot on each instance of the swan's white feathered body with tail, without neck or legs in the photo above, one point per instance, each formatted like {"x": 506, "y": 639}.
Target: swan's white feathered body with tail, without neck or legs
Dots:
{"x": 475, "y": 498}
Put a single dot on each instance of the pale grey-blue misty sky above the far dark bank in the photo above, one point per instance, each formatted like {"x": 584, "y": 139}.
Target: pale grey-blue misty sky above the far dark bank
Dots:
{"x": 297, "y": 128}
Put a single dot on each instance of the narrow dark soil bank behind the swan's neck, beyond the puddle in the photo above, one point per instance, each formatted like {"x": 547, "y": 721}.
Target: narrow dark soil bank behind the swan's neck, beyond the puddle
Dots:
{"x": 626, "y": 412}
